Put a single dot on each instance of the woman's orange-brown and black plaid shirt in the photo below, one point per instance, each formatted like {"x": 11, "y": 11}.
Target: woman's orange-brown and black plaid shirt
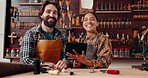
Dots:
{"x": 103, "y": 50}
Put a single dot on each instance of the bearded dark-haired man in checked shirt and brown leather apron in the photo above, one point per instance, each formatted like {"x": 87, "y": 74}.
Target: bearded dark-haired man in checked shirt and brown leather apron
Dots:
{"x": 44, "y": 41}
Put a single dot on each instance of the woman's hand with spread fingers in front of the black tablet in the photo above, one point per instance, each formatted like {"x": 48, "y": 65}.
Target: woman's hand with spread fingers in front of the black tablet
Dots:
{"x": 77, "y": 57}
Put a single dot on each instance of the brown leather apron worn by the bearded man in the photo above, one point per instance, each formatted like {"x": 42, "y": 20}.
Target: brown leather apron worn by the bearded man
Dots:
{"x": 49, "y": 50}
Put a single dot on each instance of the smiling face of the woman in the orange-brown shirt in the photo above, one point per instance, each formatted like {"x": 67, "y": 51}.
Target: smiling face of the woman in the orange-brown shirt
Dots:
{"x": 90, "y": 22}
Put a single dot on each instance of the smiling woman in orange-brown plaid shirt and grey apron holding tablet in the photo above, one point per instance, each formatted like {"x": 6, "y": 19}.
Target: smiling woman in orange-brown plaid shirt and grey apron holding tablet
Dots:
{"x": 99, "y": 48}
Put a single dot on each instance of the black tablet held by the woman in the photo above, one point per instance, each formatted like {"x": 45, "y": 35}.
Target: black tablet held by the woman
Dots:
{"x": 77, "y": 46}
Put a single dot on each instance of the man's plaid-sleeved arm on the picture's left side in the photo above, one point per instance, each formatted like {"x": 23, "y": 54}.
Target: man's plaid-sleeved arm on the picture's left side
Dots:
{"x": 27, "y": 50}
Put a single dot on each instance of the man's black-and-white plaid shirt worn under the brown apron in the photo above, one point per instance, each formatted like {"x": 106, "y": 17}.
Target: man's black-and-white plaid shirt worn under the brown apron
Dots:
{"x": 28, "y": 46}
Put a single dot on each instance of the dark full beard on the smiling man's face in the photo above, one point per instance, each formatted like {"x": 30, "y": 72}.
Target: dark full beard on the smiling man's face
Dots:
{"x": 50, "y": 24}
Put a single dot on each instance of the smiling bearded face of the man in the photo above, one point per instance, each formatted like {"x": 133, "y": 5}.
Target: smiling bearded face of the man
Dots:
{"x": 50, "y": 16}
